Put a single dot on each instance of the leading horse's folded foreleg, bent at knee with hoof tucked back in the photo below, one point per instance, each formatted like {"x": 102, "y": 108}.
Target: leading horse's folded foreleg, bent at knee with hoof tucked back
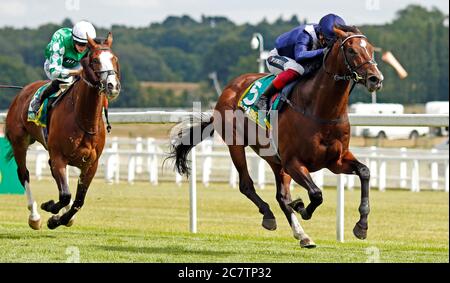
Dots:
{"x": 300, "y": 174}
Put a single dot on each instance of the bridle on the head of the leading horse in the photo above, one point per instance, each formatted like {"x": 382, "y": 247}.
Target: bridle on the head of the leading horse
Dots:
{"x": 354, "y": 75}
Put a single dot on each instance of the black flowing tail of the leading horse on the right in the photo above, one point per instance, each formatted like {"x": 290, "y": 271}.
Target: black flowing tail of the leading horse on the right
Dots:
{"x": 187, "y": 134}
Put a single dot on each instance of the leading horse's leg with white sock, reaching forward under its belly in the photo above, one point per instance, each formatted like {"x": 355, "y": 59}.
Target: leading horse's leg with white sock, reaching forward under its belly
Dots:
{"x": 283, "y": 197}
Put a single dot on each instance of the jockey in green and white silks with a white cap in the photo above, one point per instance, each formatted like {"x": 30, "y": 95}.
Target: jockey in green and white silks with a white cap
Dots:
{"x": 62, "y": 57}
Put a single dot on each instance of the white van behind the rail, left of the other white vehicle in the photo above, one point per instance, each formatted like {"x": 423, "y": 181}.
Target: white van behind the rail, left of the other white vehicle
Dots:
{"x": 384, "y": 131}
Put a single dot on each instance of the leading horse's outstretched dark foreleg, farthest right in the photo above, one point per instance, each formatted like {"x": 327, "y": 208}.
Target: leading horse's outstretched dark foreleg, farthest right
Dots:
{"x": 350, "y": 165}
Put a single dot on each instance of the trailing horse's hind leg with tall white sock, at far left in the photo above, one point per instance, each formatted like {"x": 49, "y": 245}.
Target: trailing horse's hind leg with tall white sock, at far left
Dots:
{"x": 20, "y": 146}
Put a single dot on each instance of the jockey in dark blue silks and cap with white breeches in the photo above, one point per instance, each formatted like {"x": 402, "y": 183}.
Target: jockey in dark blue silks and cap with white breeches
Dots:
{"x": 294, "y": 52}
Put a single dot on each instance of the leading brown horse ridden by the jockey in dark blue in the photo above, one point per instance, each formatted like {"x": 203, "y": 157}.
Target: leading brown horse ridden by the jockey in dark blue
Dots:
{"x": 313, "y": 132}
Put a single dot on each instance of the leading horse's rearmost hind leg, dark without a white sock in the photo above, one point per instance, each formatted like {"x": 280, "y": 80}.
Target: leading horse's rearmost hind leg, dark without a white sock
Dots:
{"x": 246, "y": 186}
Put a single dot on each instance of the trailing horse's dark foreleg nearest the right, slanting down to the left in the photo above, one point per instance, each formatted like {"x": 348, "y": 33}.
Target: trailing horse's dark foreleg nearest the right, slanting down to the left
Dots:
{"x": 84, "y": 181}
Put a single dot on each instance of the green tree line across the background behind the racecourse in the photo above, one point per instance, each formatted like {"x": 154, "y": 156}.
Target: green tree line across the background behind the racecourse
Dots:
{"x": 181, "y": 49}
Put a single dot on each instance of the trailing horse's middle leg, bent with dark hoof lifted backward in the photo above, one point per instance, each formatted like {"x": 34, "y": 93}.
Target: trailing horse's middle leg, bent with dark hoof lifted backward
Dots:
{"x": 58, "y": 169}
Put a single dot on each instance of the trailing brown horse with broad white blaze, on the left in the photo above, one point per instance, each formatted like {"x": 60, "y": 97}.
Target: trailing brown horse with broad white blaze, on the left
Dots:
{"x": 76, "y": 133}
